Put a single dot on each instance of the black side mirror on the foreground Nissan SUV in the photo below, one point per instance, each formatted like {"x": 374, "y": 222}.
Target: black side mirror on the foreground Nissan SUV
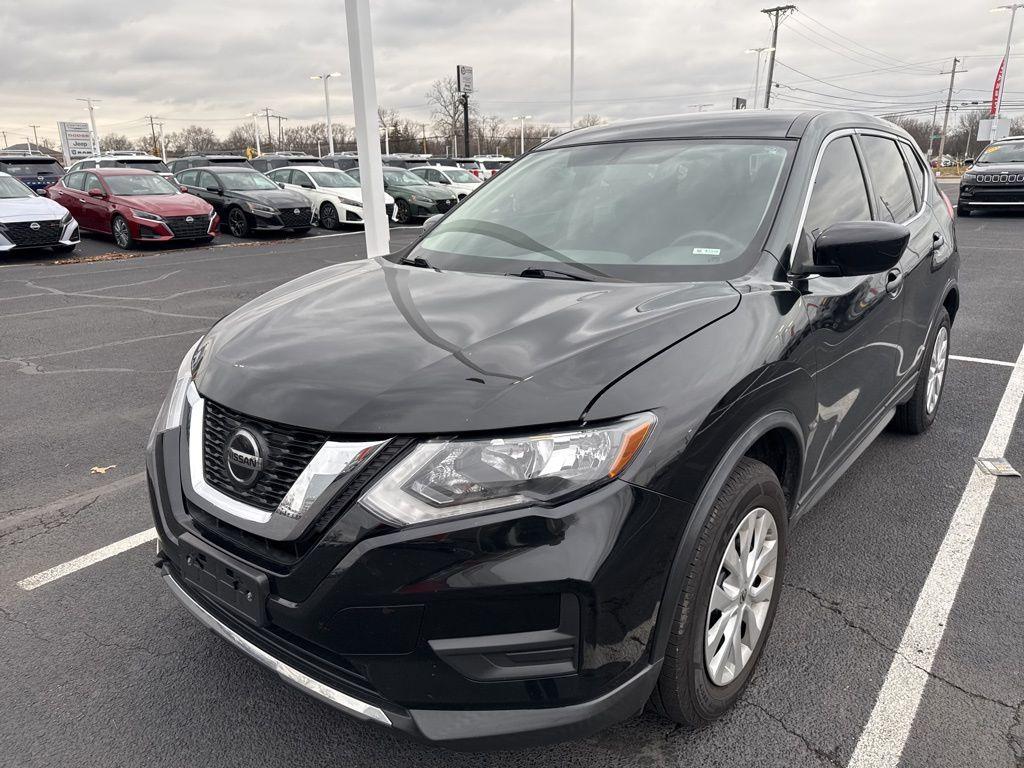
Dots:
{"x": 855, "y": 248}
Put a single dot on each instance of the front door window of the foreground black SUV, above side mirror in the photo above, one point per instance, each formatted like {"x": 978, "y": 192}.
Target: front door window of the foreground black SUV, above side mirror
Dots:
{"x": 839, "y": 193}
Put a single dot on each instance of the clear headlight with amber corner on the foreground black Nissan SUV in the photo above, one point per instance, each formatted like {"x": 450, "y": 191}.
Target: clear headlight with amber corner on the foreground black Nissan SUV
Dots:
{"x": 450, "y": 479}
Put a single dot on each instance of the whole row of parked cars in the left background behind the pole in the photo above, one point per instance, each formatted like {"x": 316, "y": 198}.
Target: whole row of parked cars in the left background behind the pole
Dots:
{"x": 138, "y": 198}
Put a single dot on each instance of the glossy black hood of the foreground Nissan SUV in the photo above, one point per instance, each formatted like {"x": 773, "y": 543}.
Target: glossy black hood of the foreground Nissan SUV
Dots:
{"x": 379, "y": 349}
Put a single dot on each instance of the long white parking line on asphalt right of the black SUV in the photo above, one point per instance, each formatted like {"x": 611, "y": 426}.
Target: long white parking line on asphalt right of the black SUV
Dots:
{"x": 882, "y": 743}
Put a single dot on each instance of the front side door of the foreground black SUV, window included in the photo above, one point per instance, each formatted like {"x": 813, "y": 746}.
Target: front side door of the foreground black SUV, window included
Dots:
{"x": 855, "y": 321}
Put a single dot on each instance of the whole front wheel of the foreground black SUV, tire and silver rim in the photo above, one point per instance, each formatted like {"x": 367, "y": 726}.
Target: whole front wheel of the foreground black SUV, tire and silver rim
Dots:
{"x": 726, "y": 611}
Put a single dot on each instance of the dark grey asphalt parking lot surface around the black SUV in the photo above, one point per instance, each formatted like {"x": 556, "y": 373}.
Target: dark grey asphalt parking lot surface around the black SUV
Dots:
{"x": 106, "y": 668}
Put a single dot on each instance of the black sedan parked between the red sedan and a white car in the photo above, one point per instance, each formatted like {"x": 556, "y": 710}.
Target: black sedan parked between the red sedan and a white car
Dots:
{"x": 248, "y": 201}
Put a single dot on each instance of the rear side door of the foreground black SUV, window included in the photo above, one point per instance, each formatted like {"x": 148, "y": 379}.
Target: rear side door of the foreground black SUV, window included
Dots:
{"x": 902, "y": 186}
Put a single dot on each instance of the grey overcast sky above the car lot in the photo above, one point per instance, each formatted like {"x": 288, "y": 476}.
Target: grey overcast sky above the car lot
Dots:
{"x": 209, "y": 62}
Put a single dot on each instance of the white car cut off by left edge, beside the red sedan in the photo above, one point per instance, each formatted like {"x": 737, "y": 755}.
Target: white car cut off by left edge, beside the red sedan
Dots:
{"x": 28, "y": 221}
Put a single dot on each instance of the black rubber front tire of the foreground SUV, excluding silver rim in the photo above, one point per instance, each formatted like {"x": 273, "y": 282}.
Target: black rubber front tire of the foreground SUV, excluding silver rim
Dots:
{"x": 686, "y": 692}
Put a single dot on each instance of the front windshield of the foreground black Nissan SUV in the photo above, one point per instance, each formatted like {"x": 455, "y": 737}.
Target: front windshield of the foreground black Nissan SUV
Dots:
{"x": 643, "y": 211}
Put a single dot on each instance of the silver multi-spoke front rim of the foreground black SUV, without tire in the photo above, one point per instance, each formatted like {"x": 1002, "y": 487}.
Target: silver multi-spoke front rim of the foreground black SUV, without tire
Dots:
{"x": 741, "y": 596}
